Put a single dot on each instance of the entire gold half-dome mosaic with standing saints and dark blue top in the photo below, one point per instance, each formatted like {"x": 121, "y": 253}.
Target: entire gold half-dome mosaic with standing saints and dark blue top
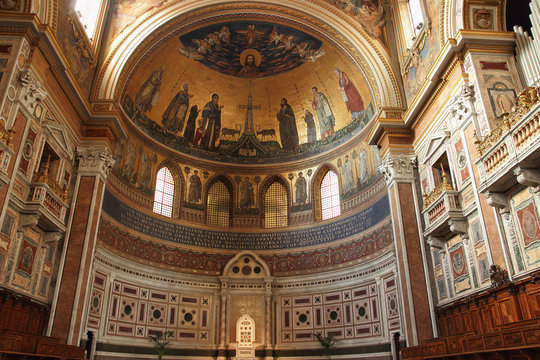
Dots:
{"x": 248, "y": 92}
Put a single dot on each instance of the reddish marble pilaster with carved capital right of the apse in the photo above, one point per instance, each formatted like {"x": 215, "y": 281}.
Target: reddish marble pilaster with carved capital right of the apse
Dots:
{"x": 419, "y": 319}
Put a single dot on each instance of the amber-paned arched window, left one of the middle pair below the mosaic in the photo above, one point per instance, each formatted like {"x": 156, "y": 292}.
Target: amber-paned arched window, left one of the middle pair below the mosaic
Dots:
{"x": 218, "y": 205}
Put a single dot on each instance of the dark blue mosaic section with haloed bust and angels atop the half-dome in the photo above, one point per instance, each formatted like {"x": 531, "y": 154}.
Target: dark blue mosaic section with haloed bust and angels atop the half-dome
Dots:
{"x": 250, "y": 49}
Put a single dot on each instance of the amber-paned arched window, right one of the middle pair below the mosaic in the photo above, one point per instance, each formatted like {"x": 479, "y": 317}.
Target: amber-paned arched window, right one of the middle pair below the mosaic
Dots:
{"x": 275, "y": 206}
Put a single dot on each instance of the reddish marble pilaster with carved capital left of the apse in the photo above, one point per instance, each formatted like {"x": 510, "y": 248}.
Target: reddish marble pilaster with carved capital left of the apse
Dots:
{"x": 70, "y": 301}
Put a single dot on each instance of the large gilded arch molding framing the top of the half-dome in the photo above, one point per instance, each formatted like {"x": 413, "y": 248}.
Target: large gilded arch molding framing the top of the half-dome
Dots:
{"x": 319, "y": 16}
